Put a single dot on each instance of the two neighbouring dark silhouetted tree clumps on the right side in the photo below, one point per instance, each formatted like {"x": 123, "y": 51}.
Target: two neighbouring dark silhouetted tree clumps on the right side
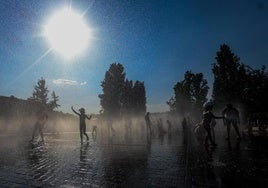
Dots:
{"x": 234, "y": 82}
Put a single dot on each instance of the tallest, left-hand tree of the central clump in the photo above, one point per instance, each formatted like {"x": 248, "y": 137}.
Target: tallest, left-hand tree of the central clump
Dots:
{"x": 112, "y": 87}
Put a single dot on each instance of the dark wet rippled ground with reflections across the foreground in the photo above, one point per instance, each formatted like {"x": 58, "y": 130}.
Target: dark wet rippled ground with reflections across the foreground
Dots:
{"x": 167, "y": 161}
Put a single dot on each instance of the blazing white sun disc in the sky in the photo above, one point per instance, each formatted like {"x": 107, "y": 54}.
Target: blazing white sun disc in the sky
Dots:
{"x": 67, "y": 33}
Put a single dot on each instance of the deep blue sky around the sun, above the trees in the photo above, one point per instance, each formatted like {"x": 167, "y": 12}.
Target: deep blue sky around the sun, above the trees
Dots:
{"x": 156, "y": 41}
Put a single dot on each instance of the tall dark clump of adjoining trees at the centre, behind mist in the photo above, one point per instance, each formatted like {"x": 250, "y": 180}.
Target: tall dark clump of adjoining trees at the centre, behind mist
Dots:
{"x": 120, "y": 96}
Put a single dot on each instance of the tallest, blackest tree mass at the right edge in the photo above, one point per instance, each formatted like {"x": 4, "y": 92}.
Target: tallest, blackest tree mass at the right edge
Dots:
{"x": 235, "y": 82}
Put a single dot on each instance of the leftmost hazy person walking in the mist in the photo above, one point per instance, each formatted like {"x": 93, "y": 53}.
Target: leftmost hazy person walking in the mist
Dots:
{"x": 39, "y": 125}
